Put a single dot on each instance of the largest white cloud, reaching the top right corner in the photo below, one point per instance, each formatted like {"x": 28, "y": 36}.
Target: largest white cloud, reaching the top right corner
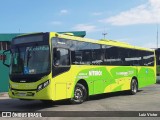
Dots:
{"x": 143, "y": 14}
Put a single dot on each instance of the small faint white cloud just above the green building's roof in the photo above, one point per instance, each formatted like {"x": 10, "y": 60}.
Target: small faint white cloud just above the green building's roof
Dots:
{"x": 85, "y": 27}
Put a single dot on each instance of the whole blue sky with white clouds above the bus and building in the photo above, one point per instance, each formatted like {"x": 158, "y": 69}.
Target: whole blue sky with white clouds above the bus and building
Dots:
{"x": 131, "y": 21}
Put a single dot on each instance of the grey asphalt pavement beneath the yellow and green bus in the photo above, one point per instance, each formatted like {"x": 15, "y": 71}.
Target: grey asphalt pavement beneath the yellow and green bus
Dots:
{"x": 147, "y": 99}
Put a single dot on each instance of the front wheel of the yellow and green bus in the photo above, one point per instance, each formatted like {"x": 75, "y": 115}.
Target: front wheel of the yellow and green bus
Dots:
{"x": 80, "y": 94}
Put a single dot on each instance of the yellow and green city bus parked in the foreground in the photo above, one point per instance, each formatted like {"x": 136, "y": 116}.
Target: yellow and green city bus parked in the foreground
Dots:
{"x": 52, "y": 66}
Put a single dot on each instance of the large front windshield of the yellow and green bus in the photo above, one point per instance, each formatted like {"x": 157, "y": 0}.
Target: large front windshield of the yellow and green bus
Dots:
{"x": 30, "y": 60}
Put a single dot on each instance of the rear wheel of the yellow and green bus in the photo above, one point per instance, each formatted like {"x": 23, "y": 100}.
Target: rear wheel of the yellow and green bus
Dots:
{"x": 134, "y": 87}
